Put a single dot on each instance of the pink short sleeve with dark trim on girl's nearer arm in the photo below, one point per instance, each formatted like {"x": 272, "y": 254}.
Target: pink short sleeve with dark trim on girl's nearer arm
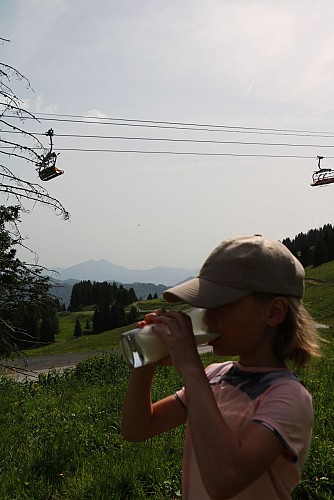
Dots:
{"x": 286, "y": 409}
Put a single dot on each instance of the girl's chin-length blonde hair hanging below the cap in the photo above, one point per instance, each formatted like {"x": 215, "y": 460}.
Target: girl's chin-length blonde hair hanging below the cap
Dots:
{"x": 297, "y": 339}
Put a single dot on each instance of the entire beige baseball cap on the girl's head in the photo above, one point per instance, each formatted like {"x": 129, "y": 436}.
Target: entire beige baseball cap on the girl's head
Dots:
{"x": 238, "y": 267}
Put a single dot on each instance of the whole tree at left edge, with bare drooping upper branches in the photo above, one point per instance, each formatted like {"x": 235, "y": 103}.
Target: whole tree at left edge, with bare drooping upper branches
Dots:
{"x": 23, "y": 291}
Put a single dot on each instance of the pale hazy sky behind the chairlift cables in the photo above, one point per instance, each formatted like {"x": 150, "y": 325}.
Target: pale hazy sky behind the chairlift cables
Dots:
{"x": 236, "y": 67}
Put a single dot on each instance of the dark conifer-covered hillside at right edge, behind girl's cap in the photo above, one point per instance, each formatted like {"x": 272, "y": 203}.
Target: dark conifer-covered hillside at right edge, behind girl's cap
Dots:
{"x": 314, "y": 247}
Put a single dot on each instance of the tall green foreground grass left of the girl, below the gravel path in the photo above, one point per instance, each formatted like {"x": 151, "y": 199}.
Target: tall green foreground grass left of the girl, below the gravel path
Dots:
{"x": 61, "y": 438}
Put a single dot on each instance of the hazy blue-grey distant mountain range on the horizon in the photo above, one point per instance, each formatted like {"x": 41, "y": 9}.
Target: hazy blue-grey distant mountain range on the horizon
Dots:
{"x": 103, "y": 270}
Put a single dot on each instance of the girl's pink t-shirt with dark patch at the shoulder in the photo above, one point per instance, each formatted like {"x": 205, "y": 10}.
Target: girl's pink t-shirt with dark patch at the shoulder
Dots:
{"x": 272, "y": 397}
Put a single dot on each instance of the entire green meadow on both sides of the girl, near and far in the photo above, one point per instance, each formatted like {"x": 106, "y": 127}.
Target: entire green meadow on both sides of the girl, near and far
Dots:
{"x": 60, "y": 436}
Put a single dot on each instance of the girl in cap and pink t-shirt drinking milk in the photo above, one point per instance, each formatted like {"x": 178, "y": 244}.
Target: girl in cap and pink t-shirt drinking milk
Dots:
{"x": 248, "y": 421}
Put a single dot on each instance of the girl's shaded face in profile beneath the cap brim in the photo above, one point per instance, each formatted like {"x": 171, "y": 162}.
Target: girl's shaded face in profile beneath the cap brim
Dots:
{"x": 244, "y": 331}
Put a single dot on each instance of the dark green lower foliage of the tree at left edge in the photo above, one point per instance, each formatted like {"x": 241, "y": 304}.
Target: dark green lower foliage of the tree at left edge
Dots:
{"x": 27, "y": 313}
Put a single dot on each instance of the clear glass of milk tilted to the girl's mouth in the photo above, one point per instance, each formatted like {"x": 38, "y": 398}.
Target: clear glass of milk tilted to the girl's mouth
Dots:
{"x": 142, "y": 346}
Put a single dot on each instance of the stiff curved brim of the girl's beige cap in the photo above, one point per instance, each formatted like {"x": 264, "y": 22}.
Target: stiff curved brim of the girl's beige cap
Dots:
{"x": 203, "y": 293}
